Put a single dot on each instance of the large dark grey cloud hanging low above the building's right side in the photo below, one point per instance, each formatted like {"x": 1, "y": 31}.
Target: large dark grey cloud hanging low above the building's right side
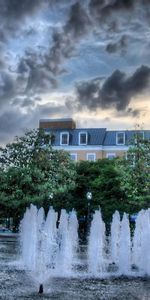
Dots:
{"x": 116, "y": 91}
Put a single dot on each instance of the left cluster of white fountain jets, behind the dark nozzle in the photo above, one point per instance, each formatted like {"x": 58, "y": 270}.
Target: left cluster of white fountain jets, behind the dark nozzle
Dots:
{"x": 48, "y": 250}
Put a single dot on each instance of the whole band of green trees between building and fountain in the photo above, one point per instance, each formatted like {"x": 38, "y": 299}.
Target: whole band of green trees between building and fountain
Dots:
{"x": 31, "y": 171}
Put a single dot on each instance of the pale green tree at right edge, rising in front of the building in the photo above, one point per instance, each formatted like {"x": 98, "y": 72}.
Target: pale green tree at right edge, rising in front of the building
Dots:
{"x": 135, "y": 172}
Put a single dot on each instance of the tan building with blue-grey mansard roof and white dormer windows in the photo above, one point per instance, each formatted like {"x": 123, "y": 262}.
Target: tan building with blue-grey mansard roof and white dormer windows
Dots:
{"x": 89, "y": 143}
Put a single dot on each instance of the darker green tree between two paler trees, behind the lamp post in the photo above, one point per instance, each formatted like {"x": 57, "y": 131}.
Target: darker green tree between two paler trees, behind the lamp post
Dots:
{"x": 102, "y": 179}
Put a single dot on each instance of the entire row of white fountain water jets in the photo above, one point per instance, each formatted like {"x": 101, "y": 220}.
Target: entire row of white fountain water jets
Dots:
{"x": 51, "y": 251}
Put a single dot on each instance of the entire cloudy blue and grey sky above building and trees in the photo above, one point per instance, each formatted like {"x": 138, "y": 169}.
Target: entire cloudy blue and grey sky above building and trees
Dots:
{"x": 86, "y": 59}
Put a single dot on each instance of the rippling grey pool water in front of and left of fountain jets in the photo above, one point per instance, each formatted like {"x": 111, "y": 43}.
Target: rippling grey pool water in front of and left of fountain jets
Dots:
{"x": 17, "y": 284}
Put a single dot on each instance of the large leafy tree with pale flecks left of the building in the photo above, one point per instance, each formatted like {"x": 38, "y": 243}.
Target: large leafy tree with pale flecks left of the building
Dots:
{"x": 32, "y": 171}
